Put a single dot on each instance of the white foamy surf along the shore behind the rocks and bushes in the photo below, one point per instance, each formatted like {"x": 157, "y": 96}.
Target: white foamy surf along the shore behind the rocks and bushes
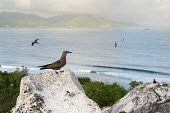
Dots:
{"x": 106, "y": 77}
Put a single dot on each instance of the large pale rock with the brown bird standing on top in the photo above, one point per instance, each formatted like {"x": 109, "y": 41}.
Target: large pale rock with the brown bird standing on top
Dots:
{"x": 53, "y": 93}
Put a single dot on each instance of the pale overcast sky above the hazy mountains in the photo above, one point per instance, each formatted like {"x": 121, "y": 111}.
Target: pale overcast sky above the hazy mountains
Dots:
{"x": 150, "y": 12}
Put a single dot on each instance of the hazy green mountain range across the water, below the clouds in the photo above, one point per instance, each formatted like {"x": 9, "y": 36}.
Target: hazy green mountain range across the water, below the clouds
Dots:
{"x": 16, "y": 19}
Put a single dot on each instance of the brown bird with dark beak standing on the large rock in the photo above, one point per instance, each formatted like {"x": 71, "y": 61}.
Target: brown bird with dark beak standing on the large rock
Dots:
{"x": 58, "y": 64}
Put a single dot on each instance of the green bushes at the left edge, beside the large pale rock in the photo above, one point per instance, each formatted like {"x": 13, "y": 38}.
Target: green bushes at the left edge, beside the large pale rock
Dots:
{"x": 9, "y": 88}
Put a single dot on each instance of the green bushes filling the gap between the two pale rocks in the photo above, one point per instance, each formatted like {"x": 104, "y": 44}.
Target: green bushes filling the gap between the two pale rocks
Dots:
{"x": 102, "y": 94}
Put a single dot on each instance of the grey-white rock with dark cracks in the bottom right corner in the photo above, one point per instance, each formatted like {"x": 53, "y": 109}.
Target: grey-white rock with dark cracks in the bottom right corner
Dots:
{"x": 146, "y": 98}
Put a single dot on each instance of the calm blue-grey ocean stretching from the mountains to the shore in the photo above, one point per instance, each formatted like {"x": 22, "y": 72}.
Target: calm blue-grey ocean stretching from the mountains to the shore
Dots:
{"x": 144, "y": 55}
